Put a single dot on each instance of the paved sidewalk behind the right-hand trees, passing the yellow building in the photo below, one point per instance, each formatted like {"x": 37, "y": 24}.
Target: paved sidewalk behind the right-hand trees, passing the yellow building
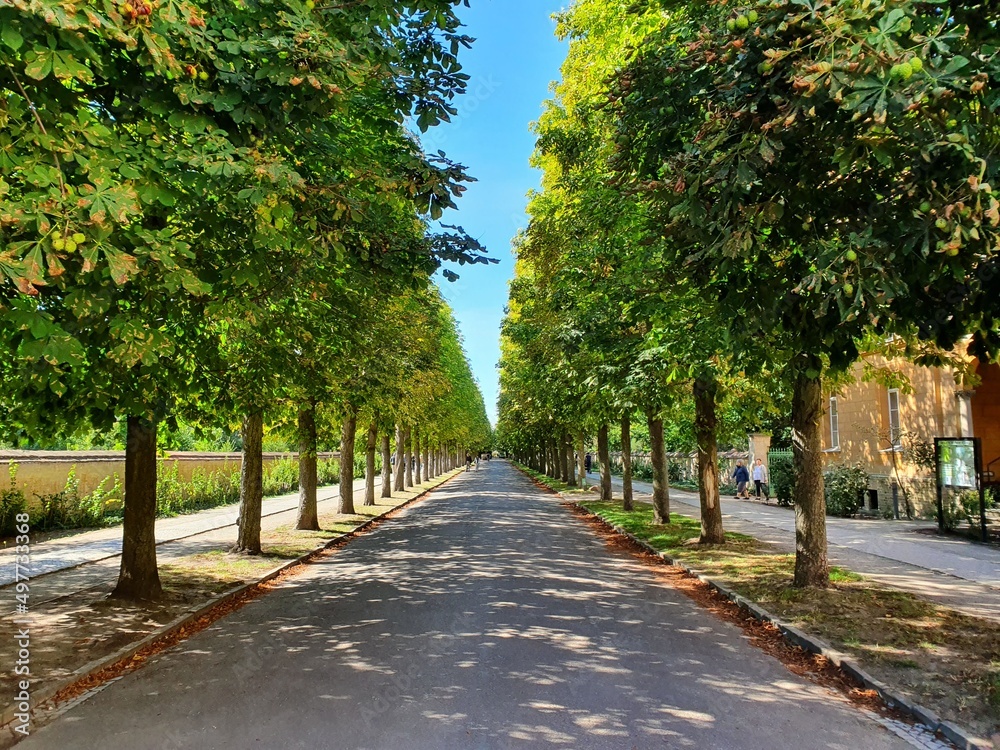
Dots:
{"x": 901, "y": 554}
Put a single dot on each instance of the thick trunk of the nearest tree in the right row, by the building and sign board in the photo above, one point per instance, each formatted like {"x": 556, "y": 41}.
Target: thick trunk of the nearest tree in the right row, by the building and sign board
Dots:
{"x": 811, "y": 567}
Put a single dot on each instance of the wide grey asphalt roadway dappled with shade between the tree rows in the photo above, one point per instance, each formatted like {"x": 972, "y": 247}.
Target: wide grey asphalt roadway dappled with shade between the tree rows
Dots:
{"x": 484, "y": 617}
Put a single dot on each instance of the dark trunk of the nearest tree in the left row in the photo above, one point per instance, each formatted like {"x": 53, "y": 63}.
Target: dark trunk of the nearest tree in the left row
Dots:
{"x": 138, "y": 578}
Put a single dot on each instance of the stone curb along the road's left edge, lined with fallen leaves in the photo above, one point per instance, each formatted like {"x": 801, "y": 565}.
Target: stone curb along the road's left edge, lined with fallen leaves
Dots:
{"x": 40, "y": 698}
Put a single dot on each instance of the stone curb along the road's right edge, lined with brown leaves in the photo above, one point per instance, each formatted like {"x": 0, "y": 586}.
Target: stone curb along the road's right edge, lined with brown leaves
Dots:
{"x": 958, "y": 736}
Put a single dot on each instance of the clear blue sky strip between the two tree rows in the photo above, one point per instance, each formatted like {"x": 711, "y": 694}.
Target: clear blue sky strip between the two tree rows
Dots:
{"x": 511, "y": 64}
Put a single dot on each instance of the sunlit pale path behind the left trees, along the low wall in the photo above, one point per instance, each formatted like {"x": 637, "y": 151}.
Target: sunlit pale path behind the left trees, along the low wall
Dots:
{"x": 60, "y": 553}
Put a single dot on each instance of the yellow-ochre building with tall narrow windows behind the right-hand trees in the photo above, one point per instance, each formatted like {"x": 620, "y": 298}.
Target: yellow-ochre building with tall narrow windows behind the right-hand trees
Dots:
{"x": 879, "y": 427}
